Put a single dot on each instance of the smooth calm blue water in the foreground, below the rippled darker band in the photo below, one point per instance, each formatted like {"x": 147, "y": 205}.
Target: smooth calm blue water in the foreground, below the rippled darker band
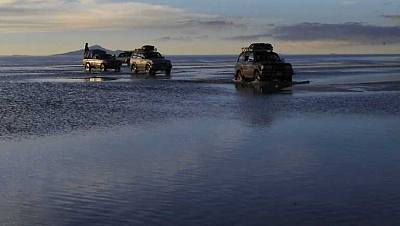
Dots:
{"x": 207, "y": 172}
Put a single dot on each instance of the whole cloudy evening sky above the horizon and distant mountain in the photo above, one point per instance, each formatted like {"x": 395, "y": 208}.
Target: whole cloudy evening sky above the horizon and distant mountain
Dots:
{"x": 43, "y": 27}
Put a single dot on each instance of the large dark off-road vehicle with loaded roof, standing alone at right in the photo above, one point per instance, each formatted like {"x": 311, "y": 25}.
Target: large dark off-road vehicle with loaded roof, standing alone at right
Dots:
{"x": 259, "y": 63}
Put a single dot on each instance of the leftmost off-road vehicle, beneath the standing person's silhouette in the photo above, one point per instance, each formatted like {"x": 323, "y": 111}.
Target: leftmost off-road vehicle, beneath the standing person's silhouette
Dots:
{"x": 99, "y": 59}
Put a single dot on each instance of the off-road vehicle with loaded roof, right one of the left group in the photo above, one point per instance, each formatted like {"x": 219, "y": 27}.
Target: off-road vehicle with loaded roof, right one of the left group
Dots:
{"x": 148, "y": 60}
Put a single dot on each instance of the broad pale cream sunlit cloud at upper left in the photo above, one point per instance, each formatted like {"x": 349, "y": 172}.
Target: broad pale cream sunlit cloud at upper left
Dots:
{"x": 62, "y": 15}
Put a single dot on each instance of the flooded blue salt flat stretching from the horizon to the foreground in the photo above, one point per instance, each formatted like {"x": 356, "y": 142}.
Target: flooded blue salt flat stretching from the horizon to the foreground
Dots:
{"x": 196, "y": 149}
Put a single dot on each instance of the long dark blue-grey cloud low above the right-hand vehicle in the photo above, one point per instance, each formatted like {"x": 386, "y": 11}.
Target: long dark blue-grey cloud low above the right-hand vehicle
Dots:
{"x": 356, "y": 33}
